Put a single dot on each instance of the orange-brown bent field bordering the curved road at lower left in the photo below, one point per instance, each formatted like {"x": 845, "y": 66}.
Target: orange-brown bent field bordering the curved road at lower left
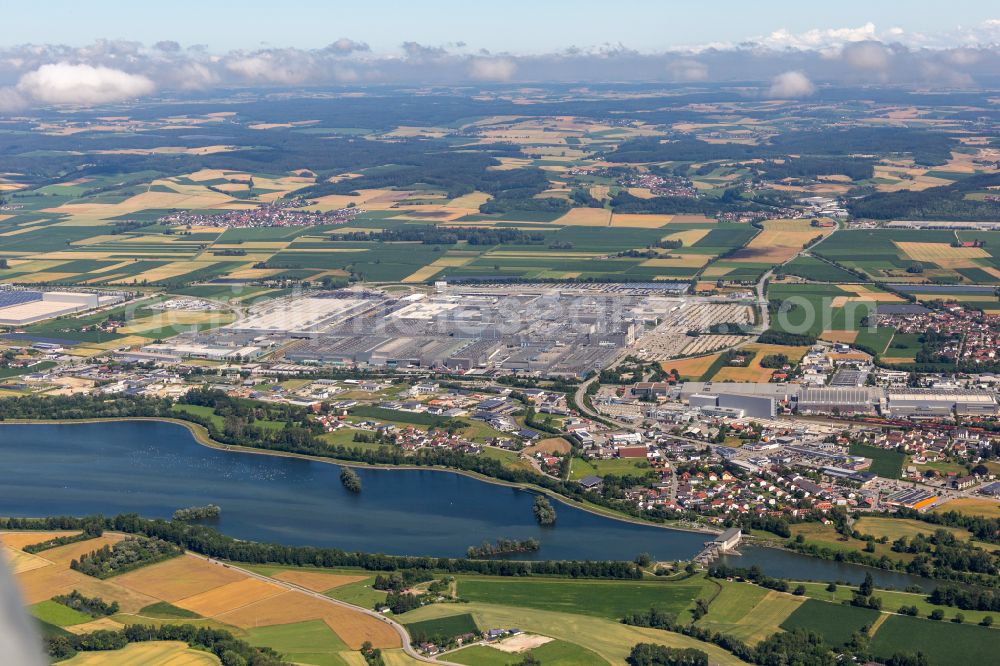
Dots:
{"x": 354, "y": 628}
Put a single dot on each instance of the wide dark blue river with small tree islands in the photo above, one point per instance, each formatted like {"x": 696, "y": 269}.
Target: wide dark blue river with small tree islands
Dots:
{"x": 153, "y": 468}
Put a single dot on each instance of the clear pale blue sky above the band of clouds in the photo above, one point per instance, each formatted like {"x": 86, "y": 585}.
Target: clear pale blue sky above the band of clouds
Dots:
{"x": 516, "y": 26}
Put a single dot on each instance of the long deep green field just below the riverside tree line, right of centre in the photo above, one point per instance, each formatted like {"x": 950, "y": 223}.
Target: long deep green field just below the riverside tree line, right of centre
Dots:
{"x": 605, "y": 599}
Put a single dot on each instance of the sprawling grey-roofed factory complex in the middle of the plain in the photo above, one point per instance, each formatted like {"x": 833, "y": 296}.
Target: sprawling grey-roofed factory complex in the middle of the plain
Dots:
{"x": 537, "y": 329}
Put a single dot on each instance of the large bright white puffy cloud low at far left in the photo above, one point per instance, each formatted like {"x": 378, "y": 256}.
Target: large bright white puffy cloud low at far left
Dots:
{"x": 65, "y": 83}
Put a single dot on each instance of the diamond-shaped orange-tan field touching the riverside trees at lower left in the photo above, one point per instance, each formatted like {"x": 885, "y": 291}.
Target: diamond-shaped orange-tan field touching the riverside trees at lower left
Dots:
{"x": 178, "y": 578}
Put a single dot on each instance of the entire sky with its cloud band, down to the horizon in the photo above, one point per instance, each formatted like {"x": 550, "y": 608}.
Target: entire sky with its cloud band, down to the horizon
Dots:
{"x": 93, "y": 52}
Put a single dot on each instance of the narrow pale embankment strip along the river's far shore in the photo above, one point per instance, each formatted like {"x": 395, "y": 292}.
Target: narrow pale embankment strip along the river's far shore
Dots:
{"x": 201, "y": 435}
